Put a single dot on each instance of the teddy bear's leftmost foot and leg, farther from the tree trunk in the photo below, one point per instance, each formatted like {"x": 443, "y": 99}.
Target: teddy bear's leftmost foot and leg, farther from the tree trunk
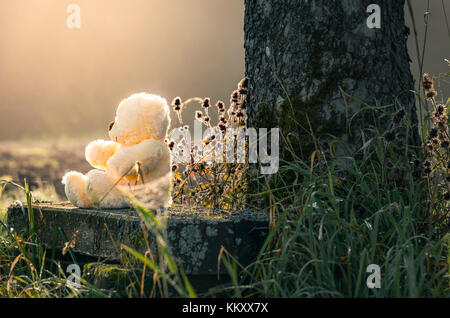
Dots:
{"x": 75, "y": 188}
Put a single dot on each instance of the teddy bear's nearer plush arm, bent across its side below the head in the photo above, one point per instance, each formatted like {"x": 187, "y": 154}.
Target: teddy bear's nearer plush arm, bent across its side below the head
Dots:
{"x": 147, "y": 153}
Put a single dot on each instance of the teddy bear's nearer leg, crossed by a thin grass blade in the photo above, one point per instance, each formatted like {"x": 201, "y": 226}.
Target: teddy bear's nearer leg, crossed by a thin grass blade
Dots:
{"x": 103, "y": 191}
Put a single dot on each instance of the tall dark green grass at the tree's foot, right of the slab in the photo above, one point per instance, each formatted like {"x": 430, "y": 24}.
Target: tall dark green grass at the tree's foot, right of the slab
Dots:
{"x": 336, "y": 222}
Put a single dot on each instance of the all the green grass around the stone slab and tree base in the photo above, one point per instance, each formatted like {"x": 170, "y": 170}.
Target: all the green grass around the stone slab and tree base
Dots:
{"x": 334, "y": 218}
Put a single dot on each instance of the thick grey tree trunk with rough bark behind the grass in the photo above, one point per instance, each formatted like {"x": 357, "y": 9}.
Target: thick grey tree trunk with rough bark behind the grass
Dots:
{"x": 309, "y": 51}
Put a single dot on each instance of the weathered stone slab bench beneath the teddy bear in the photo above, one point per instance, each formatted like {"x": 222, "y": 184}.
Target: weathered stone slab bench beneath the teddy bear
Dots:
{"x": 194, "y": 236}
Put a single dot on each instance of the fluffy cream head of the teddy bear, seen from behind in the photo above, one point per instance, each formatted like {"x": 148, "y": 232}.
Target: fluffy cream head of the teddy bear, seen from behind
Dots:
{"x": 140, "y": 117}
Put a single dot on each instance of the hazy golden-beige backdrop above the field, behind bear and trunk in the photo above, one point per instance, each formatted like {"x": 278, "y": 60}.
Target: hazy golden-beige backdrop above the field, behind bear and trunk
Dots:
{"x": 56, "y": 81}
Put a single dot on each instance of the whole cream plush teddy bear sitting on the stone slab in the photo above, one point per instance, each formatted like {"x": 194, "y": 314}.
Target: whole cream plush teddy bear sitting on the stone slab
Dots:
{"x": 136, "y": 154}
